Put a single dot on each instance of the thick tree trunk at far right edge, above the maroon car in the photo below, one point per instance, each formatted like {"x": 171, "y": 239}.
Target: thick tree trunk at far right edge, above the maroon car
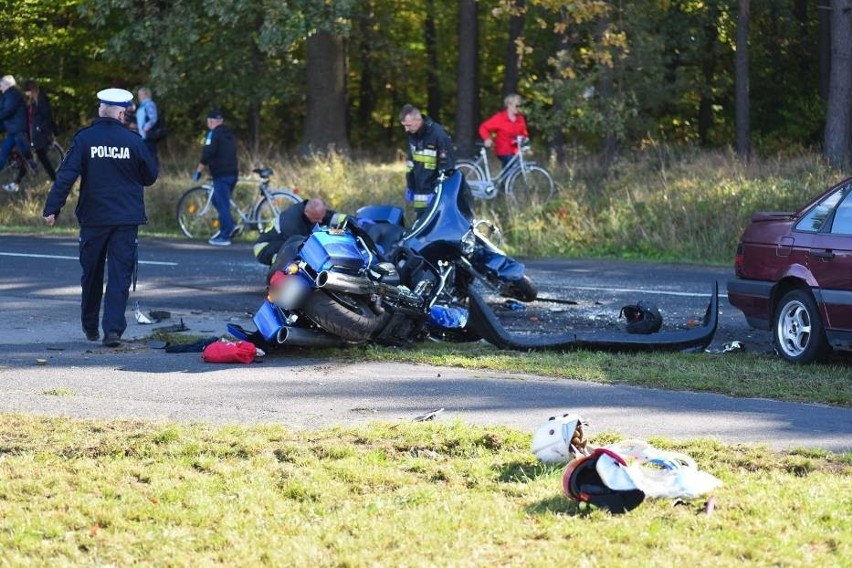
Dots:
{"x": 838, "y": 121}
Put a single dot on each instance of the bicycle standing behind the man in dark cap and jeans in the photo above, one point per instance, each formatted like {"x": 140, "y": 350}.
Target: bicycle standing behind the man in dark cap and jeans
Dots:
{"x": 198, "y": 219}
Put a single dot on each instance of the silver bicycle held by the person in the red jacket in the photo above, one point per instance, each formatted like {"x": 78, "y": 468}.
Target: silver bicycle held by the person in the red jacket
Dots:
{"x": 521, "y": 180}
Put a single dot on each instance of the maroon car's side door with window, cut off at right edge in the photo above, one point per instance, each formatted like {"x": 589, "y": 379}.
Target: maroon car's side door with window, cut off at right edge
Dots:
{"x": 830, "y": 262}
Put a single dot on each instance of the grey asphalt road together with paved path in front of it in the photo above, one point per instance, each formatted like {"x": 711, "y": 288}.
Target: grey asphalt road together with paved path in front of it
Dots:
{"x": 207, "y": 287}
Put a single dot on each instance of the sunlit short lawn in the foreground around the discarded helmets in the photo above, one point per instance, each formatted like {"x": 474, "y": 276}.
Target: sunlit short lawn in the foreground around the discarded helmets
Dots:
{"x": 88, "y": 493}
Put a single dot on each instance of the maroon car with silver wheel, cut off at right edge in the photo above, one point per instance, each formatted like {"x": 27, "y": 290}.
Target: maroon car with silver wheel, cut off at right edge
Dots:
{"x": 794, "y": 276}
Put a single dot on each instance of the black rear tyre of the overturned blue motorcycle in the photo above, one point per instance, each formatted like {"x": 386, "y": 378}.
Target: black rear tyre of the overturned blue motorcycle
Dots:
{"x": 346, "y": 316}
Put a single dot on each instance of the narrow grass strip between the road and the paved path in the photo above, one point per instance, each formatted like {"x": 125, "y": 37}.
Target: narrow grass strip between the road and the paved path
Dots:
{"x": 739, "y": 375}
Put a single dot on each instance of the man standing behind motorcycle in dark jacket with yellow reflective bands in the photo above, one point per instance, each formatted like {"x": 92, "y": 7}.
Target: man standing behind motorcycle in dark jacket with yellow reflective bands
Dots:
{"x": 430, "y": 151}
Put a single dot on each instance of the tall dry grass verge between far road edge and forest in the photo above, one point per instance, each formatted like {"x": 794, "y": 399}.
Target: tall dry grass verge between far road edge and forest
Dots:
{"x": 660, "y": 203}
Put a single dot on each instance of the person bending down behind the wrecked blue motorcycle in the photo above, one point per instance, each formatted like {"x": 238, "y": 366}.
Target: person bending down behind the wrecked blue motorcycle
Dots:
{"x": 290, "y": 228}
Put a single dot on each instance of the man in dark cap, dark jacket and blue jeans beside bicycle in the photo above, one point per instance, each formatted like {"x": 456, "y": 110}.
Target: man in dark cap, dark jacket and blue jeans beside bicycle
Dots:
{"x": 220, "y": 155}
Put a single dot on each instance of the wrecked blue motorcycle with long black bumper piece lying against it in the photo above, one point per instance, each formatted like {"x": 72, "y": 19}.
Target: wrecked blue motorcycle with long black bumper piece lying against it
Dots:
{"x": 373, "y": 281}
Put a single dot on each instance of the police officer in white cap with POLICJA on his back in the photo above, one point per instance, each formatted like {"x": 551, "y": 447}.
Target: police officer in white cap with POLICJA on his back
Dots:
{"x": 114, "y": 165}
